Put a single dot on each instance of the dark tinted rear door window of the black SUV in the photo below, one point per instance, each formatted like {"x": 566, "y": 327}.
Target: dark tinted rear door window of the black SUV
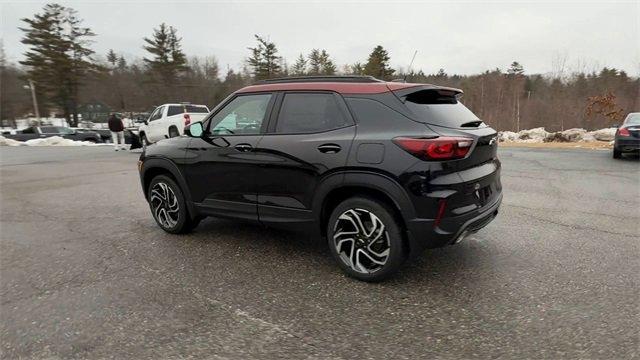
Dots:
{"x": 309, "y": 113}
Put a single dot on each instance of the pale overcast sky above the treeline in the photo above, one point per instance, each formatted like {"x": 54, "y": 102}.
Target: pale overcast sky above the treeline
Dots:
{"x": 461, "y": 37}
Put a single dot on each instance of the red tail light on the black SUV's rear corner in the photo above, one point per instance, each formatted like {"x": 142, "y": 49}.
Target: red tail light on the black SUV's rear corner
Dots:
{"x": 440, "y": 148}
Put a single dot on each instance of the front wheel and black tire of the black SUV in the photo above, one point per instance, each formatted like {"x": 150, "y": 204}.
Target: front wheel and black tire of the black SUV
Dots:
{"x": 182, "y": 222}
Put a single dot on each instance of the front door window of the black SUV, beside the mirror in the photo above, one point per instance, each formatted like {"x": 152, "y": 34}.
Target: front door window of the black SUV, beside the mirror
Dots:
{"x": 244, "y": 115}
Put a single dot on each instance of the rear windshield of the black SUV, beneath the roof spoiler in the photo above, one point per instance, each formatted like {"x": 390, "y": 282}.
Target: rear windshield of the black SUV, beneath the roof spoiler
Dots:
{"x": 442, "y": 108}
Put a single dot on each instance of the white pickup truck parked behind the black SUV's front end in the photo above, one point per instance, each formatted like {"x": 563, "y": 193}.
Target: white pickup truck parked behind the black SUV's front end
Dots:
{"x": 169, "y": 120}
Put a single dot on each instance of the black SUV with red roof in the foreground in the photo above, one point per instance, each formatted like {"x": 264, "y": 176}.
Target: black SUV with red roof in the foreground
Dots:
{"x": 383, "y": 170}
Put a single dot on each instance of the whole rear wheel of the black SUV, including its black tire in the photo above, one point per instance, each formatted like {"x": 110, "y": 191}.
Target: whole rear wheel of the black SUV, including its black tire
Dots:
{"x": 354, "y": 208}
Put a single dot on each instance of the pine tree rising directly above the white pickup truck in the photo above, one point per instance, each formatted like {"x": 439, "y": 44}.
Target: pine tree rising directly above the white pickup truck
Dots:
{"x": 167, "y": 60}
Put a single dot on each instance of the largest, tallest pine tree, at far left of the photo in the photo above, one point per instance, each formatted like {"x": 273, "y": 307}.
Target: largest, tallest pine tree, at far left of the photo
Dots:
{"x": 59, "y": 57}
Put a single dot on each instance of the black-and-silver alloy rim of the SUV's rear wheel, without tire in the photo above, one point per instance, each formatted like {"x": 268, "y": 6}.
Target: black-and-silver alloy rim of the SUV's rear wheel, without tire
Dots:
{"x": 361, "y": 240}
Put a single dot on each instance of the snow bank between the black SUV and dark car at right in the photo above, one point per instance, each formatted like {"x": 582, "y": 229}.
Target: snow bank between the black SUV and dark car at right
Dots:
{"x": 539, "y": 135}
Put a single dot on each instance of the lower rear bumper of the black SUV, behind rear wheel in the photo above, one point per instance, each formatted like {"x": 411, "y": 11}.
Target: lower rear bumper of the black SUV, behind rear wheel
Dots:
{"x": 423, "y": 234}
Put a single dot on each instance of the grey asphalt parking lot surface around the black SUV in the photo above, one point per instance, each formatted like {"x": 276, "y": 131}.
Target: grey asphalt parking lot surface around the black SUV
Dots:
{"x": 86, "y": 273}
